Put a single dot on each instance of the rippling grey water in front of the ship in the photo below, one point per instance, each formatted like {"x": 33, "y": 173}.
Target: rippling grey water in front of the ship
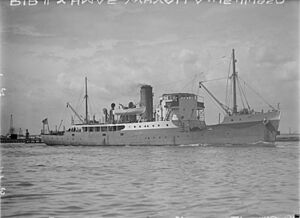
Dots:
{"x": 186, "y": 181}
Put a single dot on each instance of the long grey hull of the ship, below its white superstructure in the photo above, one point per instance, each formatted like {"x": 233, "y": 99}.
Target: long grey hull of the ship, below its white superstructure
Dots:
{"x": 227, "y": 133}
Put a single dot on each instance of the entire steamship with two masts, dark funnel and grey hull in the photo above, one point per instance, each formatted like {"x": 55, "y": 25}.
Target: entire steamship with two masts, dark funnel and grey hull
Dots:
{"x": 177, "y": 120}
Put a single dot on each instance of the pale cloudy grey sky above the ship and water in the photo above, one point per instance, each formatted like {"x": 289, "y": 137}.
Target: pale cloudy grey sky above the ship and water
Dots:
{"x": 47, "y": 50}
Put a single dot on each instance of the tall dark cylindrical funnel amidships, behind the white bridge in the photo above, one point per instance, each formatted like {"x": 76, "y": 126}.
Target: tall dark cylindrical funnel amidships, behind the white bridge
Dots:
{"x": 147, "y": 101}
